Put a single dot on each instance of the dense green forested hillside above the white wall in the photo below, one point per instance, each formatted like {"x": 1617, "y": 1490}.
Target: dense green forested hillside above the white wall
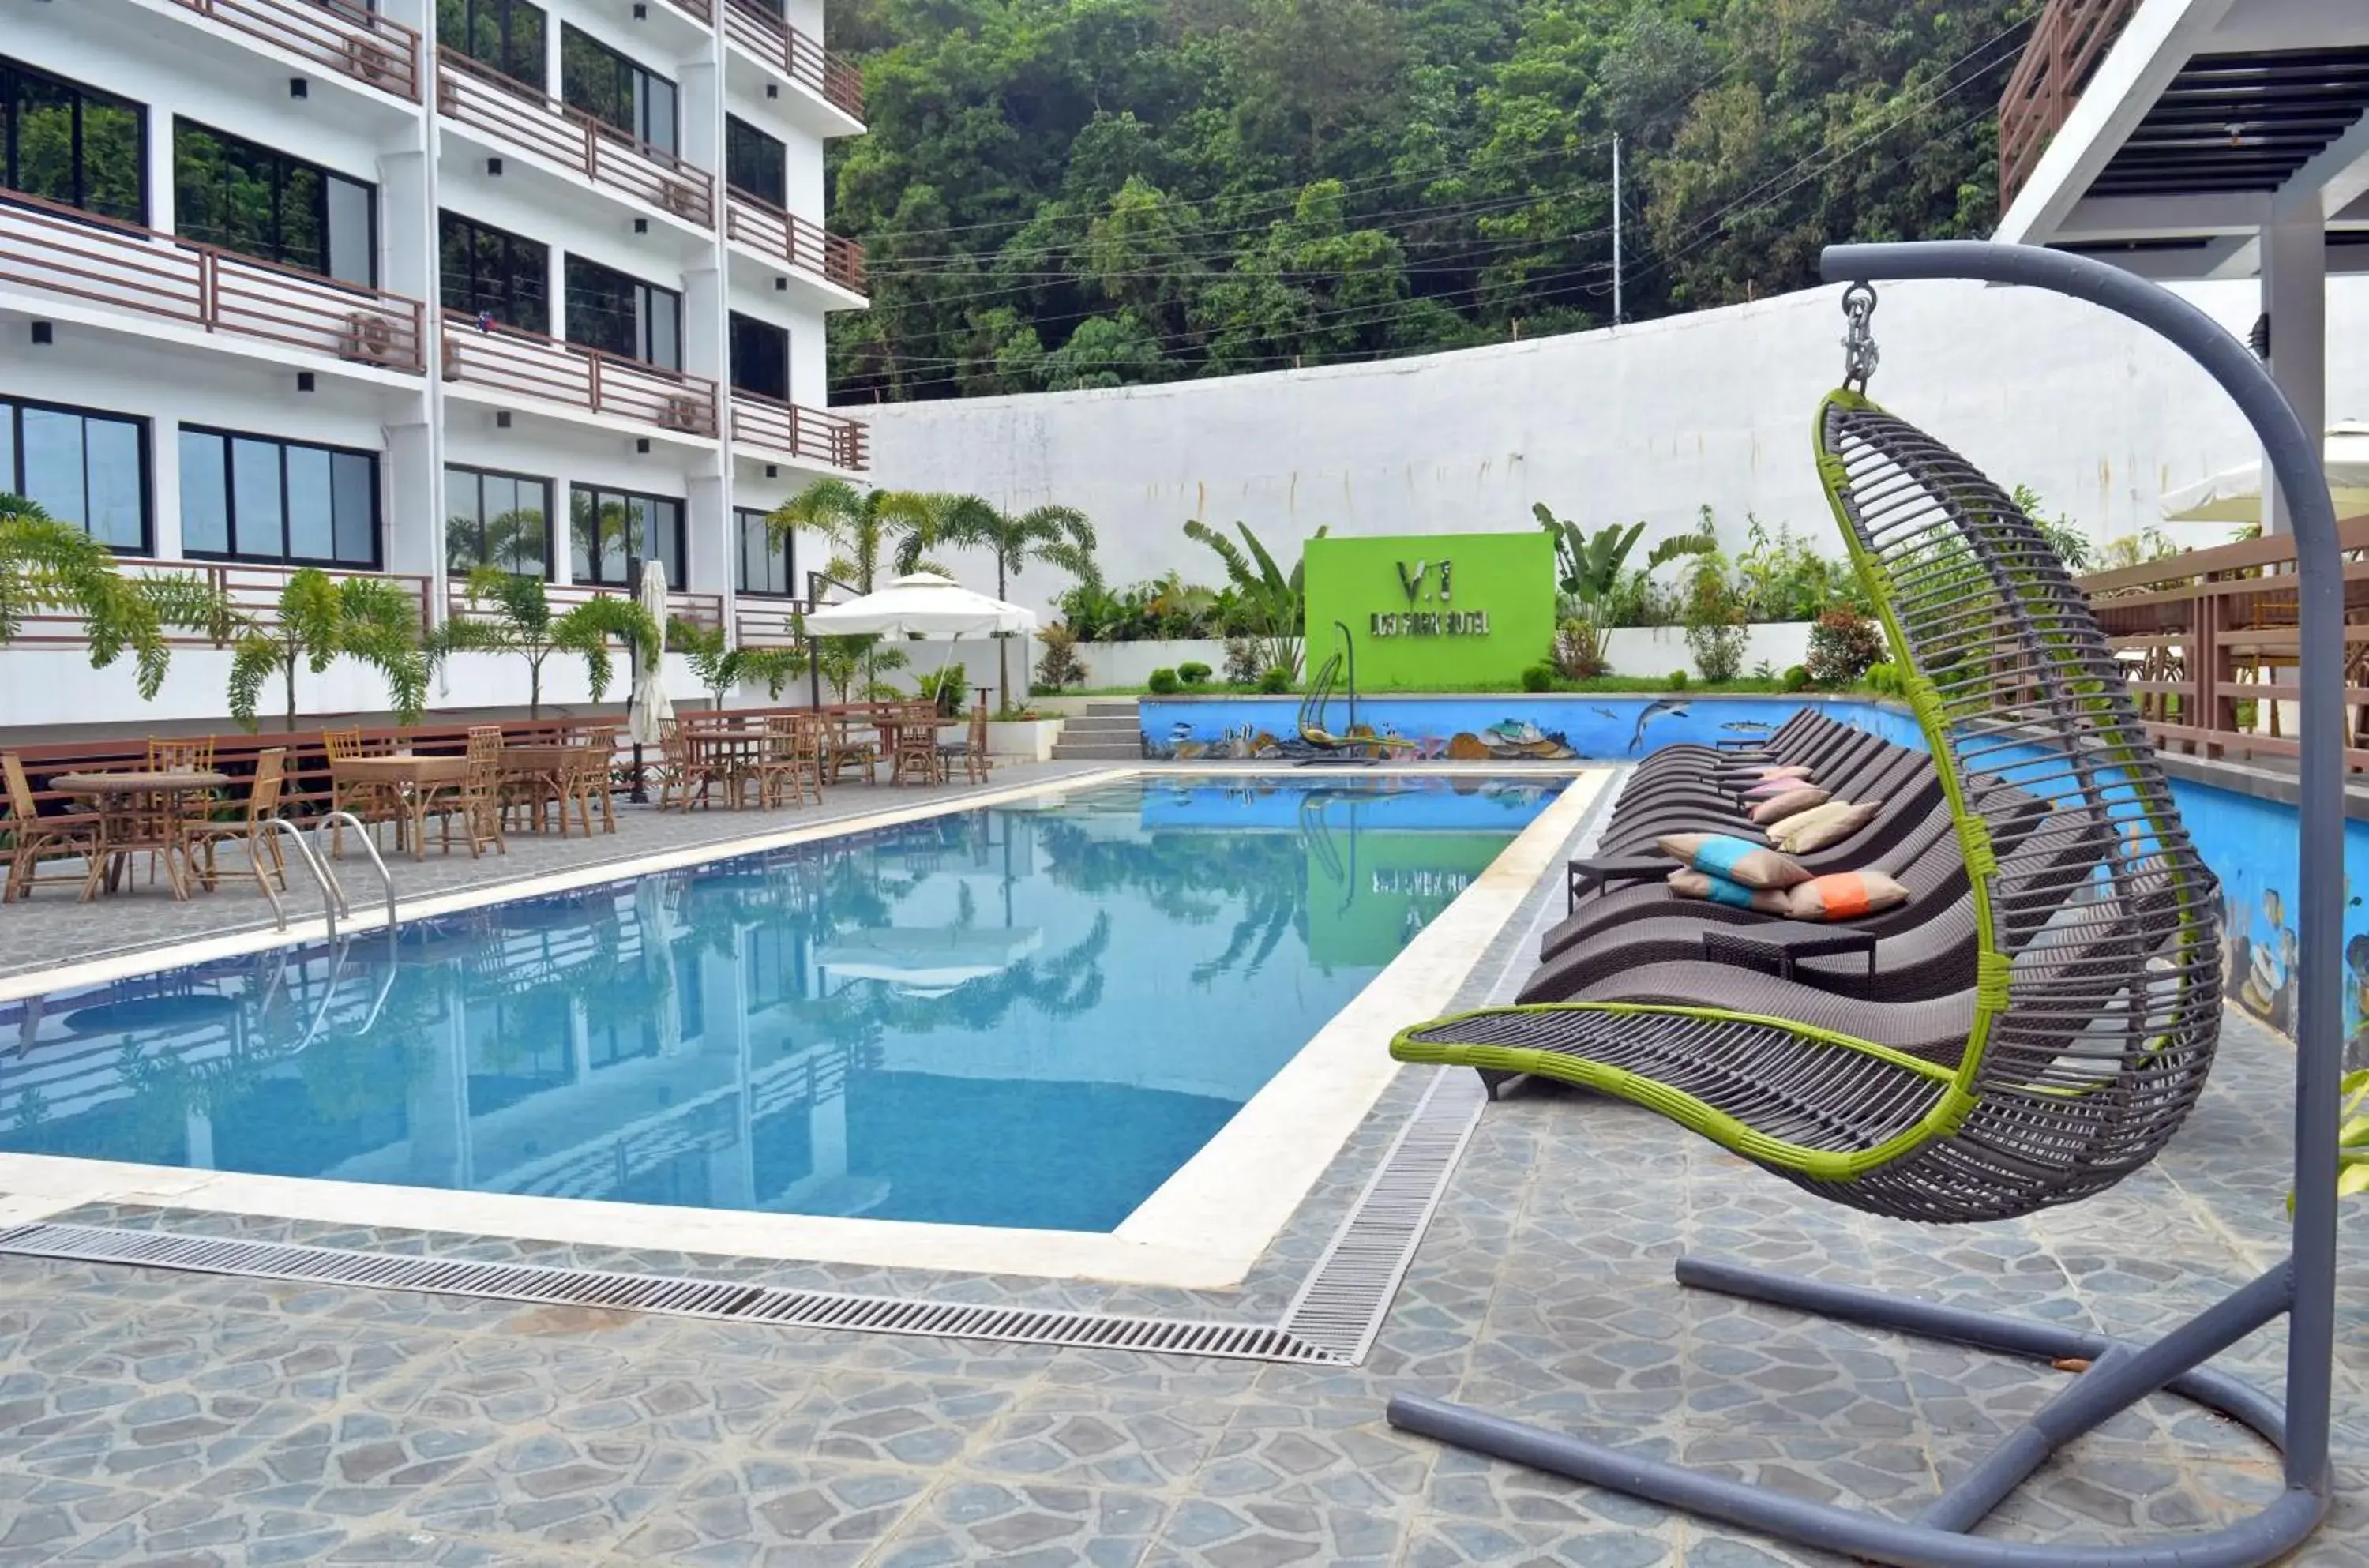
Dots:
{"x": 1091, "y": 193}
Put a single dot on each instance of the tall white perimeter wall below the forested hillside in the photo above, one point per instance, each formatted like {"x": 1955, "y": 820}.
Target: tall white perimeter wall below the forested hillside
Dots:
{"x": 1629, "y": 425}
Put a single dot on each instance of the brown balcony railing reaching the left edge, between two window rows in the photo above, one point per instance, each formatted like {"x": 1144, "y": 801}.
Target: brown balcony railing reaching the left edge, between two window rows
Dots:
{"x": 72, "y": 255}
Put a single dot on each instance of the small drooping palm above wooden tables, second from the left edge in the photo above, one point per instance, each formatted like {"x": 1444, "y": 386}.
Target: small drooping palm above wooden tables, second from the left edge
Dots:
{"x": 321, "y": 622}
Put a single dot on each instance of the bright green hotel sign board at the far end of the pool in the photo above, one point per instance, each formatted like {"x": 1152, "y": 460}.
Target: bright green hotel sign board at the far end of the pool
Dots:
{"x": 1432, "y": 610}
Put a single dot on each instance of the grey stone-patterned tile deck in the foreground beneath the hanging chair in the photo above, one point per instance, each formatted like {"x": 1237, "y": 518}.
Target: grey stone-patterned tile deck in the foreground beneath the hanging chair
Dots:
{"x": 162, "y": 1418}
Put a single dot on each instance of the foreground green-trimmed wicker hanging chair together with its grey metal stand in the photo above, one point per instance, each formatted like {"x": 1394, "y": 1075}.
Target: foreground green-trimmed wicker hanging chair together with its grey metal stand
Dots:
{"x": 2093, "y": 1017}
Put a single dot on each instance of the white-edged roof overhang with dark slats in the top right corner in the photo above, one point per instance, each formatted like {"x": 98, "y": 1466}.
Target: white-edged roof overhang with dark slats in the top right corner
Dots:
{"x": 2207, "y": 122}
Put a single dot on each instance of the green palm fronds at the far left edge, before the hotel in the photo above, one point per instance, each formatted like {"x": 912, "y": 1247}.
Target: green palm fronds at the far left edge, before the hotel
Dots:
{"x": 51, "y": 565}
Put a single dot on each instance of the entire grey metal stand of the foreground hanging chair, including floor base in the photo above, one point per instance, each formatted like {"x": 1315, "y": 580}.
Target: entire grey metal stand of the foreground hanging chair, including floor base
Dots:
{"x": 2121, "y": 1373}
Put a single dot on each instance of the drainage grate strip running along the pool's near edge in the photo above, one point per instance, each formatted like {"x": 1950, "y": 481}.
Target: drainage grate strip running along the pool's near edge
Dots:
{"x": 544, "y": 1285}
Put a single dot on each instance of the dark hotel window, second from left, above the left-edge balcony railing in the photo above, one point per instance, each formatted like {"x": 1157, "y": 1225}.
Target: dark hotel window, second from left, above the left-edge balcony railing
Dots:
{"x": 267, "y": 205}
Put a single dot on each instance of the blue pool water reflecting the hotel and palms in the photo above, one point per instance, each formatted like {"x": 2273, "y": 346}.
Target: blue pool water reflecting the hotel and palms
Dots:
{"x": 1027, "y": 1015}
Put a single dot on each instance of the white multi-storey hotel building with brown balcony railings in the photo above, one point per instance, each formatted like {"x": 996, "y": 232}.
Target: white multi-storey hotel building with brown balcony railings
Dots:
{"x": 413, "y": 285}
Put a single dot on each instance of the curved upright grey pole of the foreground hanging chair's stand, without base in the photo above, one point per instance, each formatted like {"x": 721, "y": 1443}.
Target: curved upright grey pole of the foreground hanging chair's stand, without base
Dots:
{"x": 2294, "y": 458}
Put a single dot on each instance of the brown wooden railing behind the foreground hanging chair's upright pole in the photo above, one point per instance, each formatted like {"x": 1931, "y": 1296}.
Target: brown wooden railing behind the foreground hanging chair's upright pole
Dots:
{"x": 2209, "y": 641}
